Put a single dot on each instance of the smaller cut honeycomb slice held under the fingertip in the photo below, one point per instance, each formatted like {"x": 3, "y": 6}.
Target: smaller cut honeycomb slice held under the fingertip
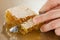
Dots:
{"x": 29, "y": 26}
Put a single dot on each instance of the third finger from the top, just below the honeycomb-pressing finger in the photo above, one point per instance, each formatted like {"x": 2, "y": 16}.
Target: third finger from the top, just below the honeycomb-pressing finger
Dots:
{"x": 50, "y": 26}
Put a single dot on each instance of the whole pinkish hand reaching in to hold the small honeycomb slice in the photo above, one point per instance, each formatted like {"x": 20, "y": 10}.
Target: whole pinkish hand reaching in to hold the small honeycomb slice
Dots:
{"x": 49, "y": 15}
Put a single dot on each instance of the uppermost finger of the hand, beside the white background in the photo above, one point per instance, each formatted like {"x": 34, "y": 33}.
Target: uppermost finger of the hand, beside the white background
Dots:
{"x": 50, "y": 4}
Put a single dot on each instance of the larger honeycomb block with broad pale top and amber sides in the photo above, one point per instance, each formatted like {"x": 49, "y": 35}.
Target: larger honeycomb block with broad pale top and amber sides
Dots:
{"x": 19, "y": 14}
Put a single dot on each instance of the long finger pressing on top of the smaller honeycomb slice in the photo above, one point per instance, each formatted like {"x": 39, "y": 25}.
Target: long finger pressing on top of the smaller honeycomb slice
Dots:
{"x": 47, "y": 16}
